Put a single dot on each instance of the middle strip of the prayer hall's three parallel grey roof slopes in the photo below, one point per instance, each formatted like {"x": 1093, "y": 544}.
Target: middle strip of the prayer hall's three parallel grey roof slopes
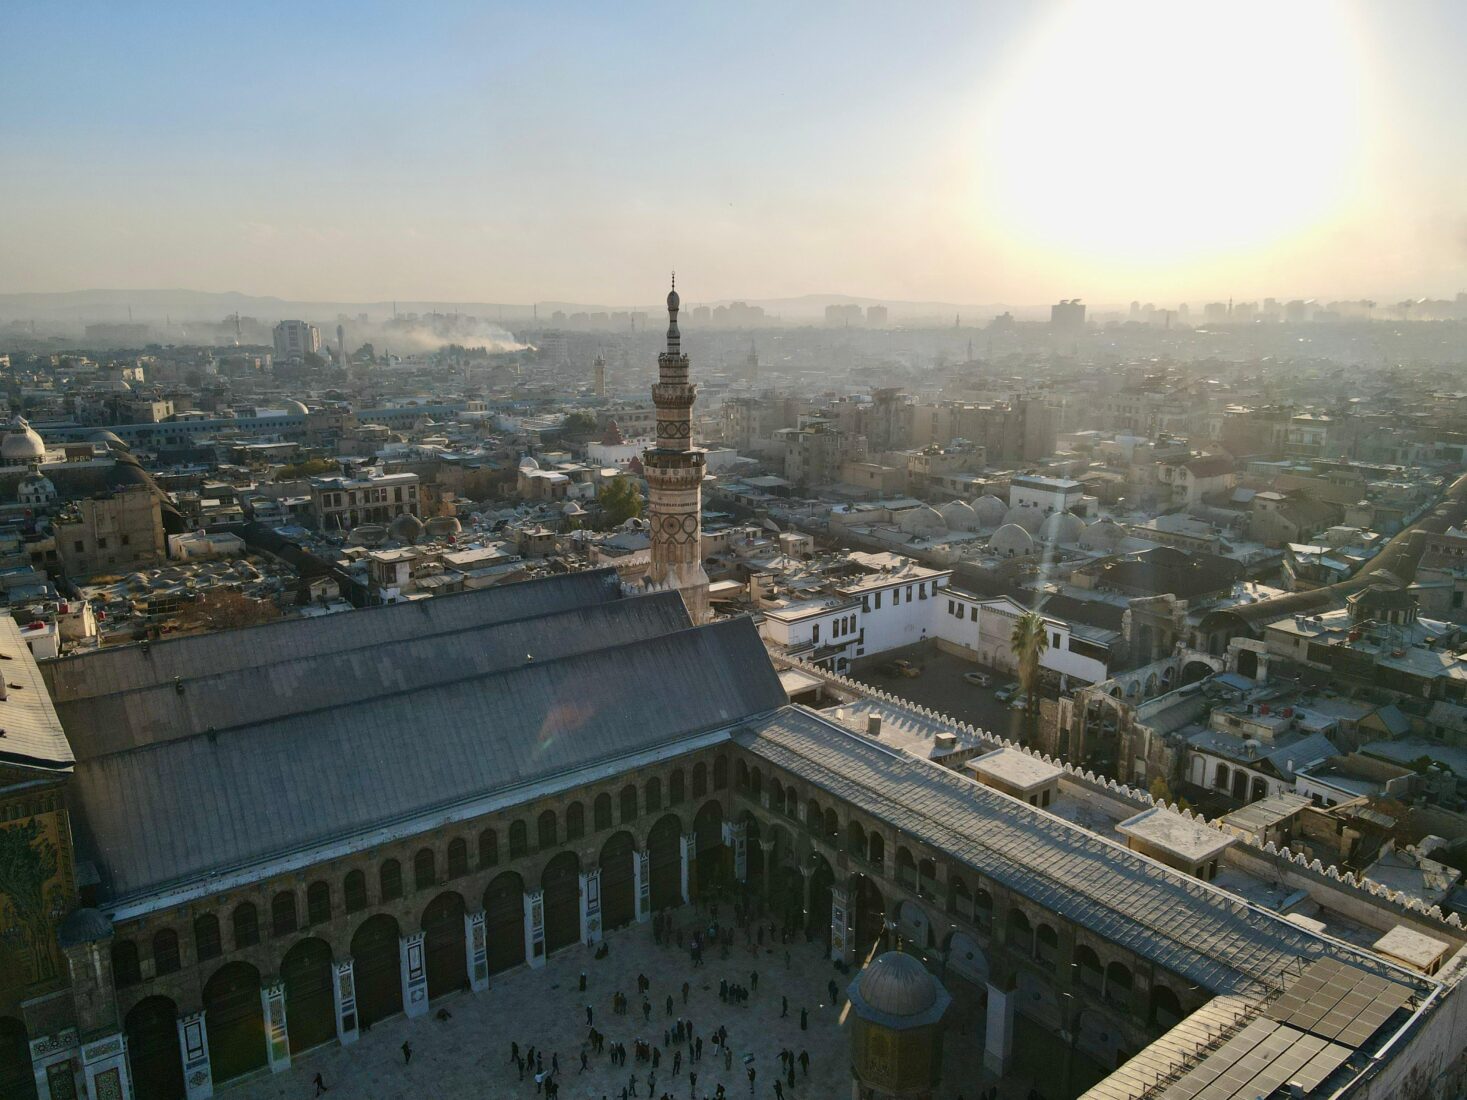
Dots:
{"x": 297, "y": 683}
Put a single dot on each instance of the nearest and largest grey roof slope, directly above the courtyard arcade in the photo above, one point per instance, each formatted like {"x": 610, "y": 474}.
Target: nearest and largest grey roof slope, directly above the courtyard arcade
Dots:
{"x": 175, "y": 812}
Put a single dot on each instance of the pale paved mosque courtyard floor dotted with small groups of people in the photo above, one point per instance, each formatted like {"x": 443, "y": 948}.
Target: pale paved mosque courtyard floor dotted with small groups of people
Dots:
{"x": 469, "y": 1054}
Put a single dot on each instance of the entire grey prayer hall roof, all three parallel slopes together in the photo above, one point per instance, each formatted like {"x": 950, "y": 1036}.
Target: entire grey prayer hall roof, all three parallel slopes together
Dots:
{"x": 363, "y": 741}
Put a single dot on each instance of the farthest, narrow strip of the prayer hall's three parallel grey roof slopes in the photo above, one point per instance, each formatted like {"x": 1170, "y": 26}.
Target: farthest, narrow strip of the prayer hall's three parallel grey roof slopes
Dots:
{"x": 134, "y": 667}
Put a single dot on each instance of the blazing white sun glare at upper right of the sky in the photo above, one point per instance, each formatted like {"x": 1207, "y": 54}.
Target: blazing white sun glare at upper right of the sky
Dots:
{"x": 1146, "y": 133}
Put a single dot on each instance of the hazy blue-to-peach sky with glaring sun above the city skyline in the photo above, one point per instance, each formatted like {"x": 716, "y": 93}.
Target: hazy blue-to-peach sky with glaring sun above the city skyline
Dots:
{"x": 969, "y": 152}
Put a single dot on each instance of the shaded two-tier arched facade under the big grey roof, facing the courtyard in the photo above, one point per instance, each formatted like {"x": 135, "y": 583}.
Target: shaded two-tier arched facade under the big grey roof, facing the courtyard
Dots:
{"x": 249, "y": 980}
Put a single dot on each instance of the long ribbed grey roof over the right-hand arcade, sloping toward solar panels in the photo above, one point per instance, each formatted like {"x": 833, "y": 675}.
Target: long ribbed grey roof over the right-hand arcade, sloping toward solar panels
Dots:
{"x": 1179, "y": 923}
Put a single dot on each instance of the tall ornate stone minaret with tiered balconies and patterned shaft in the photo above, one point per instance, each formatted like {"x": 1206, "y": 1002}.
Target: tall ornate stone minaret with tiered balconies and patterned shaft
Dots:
{"x": 674, "y": 472}
